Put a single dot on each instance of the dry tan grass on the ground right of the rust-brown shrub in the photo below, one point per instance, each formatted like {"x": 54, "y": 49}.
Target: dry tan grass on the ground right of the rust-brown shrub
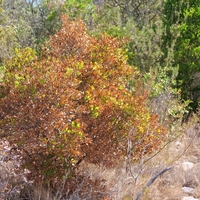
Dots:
{"x": 183, "y": 149}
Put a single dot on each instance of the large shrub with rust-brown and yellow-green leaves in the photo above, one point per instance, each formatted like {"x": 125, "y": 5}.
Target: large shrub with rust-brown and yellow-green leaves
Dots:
{"x": 72, "y": 102}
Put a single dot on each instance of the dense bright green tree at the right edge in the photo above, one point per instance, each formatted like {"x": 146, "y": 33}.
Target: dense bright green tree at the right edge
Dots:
{"x": 184, "y": 17}
